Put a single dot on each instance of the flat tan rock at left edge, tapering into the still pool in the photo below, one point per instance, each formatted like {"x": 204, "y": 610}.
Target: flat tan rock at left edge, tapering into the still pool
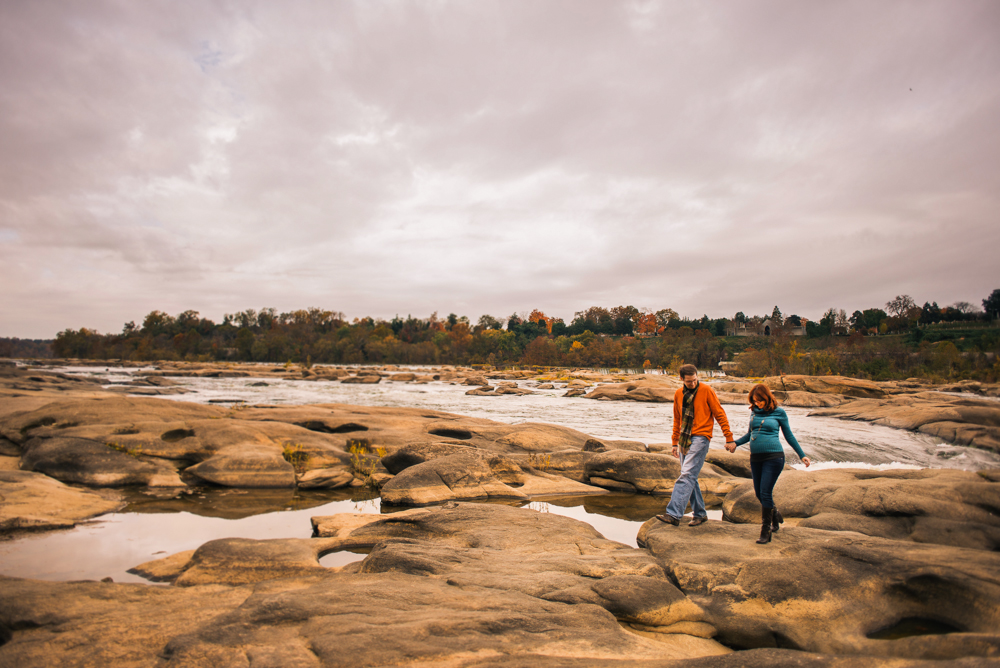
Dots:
{"x": 35, "y": 501}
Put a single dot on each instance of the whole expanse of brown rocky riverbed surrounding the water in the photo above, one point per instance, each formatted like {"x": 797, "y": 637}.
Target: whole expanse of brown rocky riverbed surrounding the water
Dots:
{"x": 872, "y": 567}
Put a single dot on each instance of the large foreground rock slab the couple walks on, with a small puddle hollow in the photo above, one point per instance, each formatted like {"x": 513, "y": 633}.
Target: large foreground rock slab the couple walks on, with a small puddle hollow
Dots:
{"x": 825, "y": 591}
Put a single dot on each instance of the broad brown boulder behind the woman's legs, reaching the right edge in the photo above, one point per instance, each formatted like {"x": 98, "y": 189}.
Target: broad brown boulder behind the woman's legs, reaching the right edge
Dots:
{"x": 943, "y": 506}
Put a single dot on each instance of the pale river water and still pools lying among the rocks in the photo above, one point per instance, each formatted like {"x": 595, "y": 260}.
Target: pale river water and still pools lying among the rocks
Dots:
{"x": 150, "y": 527}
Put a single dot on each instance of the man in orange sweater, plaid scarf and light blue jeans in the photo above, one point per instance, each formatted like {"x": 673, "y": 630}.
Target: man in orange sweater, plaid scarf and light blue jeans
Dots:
{"x": 696, "y": 406}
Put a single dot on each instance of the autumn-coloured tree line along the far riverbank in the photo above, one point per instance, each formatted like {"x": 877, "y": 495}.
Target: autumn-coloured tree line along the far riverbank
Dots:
{"x": 618, "y": 337}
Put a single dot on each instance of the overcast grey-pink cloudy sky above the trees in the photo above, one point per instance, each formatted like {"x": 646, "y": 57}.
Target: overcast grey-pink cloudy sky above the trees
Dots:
{"x": 480, "y": 157}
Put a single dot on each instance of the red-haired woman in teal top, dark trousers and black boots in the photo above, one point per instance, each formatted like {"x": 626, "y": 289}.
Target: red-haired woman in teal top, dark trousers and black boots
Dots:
{"x": 767, "y": 458}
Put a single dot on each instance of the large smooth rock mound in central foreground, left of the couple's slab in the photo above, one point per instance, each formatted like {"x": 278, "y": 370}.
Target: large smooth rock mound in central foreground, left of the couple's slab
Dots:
{"x": 538, "y": 554}
